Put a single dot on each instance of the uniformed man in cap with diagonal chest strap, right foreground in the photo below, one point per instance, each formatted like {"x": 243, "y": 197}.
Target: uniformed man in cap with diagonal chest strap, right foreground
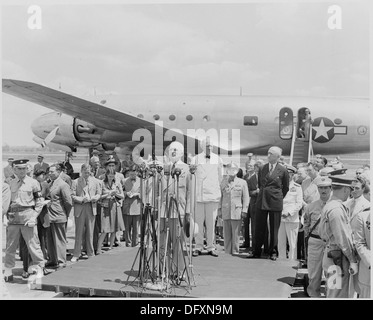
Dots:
{"x": 316, "y": 245}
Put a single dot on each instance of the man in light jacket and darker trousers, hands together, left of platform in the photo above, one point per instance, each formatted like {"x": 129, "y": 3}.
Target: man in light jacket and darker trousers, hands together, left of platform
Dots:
{"x": 86, "y": 191}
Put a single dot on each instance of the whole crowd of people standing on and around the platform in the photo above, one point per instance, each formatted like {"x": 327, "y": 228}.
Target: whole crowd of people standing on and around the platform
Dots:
{"x": 316, "y": 212}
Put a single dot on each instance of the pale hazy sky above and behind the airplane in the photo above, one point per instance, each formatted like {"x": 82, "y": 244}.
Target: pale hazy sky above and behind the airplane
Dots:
{"x": 272, "y": 49}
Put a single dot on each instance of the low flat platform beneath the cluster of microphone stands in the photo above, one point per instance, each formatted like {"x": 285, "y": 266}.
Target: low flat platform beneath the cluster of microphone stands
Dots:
{"x": 227, "y": 276}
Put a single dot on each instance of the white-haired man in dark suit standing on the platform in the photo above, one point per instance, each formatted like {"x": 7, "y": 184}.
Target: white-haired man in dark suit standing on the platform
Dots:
{"x": 273, "y": 183}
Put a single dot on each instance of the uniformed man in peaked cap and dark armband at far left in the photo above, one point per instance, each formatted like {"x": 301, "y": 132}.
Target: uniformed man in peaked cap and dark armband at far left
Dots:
{"x": 26, "y": 204}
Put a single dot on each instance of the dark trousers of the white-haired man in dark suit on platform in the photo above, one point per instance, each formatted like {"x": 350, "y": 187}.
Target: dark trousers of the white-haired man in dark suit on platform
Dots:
{"x": 261, "y": 225}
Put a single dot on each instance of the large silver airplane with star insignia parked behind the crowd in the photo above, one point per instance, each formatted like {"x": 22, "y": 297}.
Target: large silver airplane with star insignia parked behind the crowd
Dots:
{"x": 340, "y": 125}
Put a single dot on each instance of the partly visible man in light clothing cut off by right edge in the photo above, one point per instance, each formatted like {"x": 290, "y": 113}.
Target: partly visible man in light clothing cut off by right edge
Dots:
{"x": 362, "y": 244}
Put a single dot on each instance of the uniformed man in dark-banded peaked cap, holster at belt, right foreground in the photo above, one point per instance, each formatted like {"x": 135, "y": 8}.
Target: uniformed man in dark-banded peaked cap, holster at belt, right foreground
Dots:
{"x": 339, "y": 256}
